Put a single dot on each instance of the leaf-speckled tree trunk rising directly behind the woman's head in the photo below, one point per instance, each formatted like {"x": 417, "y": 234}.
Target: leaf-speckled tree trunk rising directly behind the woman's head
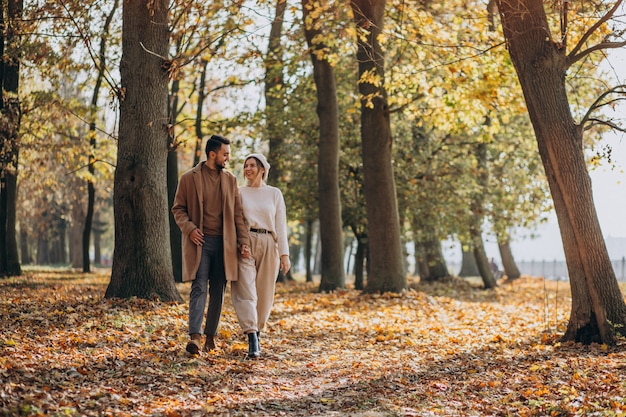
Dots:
{"x": 274, "y": 93}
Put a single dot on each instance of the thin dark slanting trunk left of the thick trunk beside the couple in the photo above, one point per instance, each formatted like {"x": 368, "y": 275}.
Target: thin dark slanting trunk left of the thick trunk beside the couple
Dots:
{"x": 91, "y": 188}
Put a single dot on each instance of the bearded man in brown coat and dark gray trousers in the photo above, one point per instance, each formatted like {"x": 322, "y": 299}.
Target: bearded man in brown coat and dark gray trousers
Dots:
{"x": 207, "y": 209}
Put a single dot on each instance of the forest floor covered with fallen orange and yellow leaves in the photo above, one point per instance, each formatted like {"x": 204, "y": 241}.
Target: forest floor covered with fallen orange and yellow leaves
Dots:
{"x": 446, "y": 349}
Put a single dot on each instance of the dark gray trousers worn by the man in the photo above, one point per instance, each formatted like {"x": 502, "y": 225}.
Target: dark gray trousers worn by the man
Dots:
{"x": 211, "y": 279}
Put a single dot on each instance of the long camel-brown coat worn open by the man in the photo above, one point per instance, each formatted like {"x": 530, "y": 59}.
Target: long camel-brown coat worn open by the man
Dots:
{"x": 187, "y": 210}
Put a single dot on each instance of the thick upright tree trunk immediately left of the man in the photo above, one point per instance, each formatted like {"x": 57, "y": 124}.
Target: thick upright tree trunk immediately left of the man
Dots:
{"x": 142, "y": 265}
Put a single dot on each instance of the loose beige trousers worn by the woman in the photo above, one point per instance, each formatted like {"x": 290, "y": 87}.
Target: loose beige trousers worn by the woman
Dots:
{"x": 253, "y": 293}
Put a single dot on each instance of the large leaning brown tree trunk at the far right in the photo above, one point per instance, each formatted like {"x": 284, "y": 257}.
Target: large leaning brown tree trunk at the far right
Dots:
{"x": 598, "y": 308}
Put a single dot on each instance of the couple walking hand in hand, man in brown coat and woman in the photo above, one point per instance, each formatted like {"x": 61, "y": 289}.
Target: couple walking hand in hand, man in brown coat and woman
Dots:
{"x": 230, "y": 233}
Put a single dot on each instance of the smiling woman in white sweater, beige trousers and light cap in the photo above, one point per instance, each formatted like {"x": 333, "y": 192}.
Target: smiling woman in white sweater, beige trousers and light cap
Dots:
{"x": 264, "y": 209}
